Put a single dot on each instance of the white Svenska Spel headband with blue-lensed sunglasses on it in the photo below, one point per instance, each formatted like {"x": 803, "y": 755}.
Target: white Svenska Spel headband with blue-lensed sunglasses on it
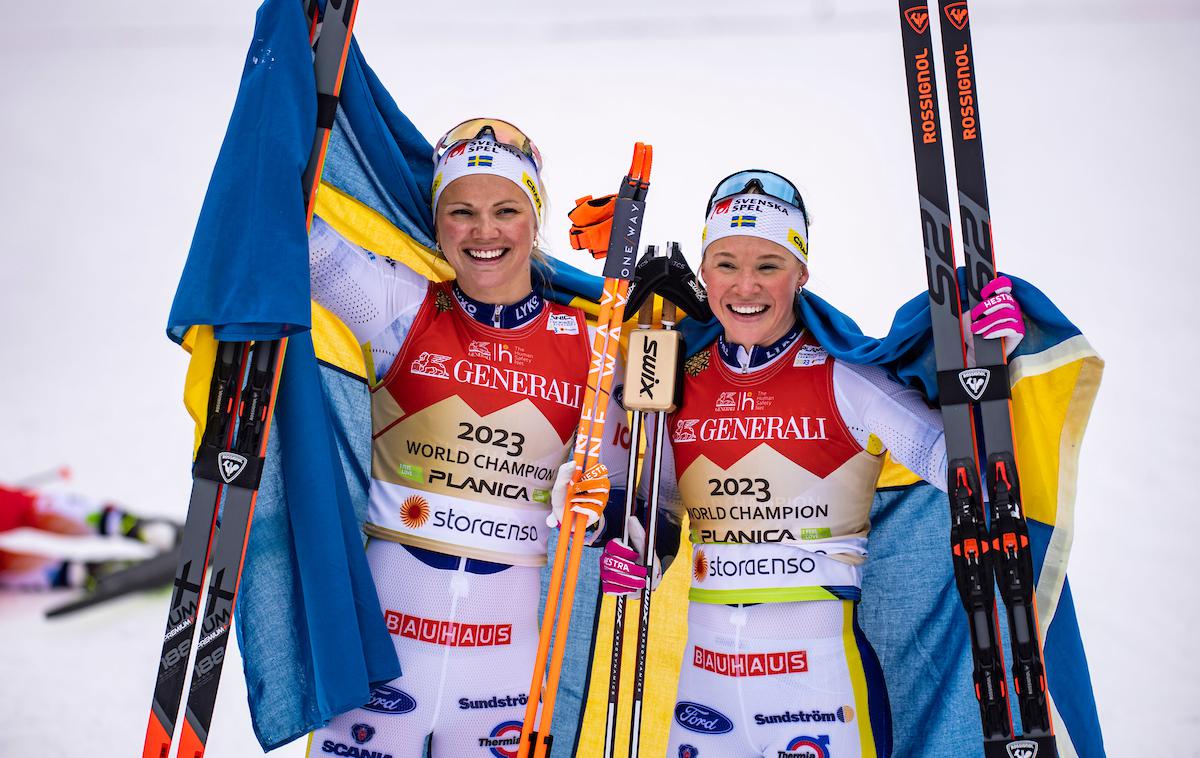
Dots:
{"x": 759, "y": 204}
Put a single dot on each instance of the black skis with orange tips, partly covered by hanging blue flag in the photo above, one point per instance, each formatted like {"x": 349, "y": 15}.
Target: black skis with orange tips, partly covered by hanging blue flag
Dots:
{"x": 230, "y": 462}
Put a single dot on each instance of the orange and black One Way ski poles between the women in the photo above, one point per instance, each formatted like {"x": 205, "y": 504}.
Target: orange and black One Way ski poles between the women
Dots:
{"x": 627, "y": 232}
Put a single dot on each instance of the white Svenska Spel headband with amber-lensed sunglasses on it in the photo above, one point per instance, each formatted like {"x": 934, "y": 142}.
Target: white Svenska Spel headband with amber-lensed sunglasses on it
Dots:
{"x": 489, "y": 149}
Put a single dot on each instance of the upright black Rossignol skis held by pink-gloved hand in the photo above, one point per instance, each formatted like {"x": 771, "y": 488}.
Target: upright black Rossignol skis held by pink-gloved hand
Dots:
{"x": 982, "y": 555}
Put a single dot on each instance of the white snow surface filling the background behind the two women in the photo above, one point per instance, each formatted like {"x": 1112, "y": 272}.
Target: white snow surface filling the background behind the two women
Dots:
{"x": 115, "y": 112}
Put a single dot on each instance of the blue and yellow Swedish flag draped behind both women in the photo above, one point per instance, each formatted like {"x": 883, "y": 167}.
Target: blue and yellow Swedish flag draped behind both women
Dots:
{"x": 309, "y": 619}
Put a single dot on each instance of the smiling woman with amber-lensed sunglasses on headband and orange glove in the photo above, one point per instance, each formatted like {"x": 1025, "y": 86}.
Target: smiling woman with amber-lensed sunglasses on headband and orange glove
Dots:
{"x": 478, "y": 387}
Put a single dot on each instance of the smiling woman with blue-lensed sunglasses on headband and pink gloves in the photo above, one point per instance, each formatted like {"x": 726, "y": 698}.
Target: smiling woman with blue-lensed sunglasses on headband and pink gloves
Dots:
{"x": 775, "y": 454}
